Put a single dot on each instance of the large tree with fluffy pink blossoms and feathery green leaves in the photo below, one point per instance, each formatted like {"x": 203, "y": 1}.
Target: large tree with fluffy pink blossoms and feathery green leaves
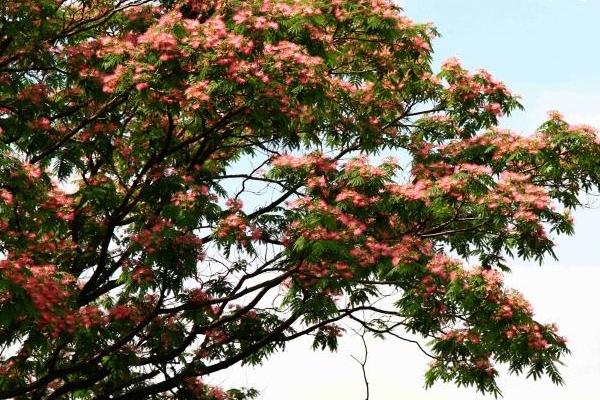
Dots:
{"x": 132, "y": 130}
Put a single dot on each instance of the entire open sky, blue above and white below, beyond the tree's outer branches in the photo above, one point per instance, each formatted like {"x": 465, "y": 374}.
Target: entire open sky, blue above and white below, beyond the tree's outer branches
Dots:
{"x": 546, "y": 51}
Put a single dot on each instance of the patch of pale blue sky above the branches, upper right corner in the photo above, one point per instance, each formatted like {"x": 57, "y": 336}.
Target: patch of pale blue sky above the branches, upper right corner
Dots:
{"x": 537, "y": 47}
